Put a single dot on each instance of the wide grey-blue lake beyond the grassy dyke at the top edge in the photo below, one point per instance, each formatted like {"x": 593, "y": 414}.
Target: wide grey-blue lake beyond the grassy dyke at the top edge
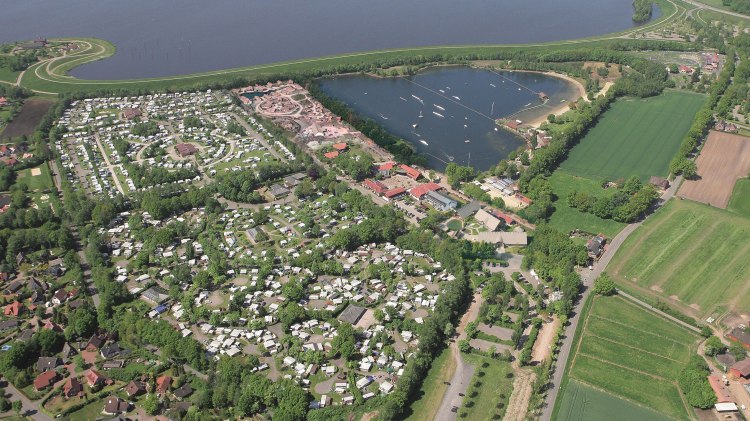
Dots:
{"x": 173, "y": 37}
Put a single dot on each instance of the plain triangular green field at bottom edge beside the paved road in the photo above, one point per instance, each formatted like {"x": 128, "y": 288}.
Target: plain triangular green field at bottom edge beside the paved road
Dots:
{"x": 583, "y": 402}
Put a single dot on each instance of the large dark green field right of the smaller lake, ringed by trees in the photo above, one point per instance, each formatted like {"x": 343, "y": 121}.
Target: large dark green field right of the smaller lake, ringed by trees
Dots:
{"x": 632, "y": 137}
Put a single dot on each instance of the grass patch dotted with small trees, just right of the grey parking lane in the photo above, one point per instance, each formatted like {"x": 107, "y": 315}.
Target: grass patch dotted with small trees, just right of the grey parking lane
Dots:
{"x": 495, "y": 388}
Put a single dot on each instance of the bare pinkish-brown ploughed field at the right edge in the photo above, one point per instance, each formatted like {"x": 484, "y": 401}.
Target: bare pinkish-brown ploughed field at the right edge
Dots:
{"x": 724, "y": 158}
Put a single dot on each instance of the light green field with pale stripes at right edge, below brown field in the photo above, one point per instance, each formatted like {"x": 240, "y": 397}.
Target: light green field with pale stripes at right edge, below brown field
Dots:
{"x": 690, "y": 255}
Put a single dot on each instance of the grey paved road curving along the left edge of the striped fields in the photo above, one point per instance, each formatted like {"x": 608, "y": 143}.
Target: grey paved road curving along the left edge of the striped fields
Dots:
{"x": 588, "y": 277}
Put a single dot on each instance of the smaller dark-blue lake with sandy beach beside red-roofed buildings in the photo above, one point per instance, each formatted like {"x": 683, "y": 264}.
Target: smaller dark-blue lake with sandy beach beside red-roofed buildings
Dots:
{"x": 457, "y": 104}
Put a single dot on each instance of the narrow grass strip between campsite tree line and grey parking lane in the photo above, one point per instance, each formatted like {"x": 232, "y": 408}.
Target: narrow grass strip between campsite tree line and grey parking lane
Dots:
{"x": 433, "y": 388}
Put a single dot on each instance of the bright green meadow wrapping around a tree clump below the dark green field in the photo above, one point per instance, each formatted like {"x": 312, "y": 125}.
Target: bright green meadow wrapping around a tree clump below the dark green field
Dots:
{"x": 567, "y": 219}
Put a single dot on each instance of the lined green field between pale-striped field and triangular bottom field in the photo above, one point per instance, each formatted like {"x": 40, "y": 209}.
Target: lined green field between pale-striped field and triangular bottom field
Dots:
{"x": 646, "y": 351}
